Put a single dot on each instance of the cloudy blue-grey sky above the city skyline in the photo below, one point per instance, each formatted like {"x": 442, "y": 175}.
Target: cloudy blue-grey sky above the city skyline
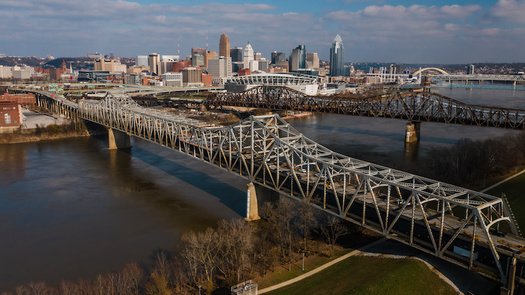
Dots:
{"x": 409, "y": 31}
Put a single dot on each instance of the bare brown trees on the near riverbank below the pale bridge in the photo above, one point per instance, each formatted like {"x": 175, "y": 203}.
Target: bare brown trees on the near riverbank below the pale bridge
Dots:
{"x": 233, "y": 252}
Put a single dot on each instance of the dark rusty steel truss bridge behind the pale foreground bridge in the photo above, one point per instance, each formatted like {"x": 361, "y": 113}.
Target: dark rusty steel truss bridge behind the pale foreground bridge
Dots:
{"x": 412, "y": 106}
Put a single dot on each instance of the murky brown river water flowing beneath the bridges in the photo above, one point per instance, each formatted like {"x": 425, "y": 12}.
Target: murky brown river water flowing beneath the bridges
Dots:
{"x": 73, "y": 209}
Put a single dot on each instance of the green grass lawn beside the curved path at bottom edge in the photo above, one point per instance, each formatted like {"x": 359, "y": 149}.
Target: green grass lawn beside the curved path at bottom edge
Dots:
{"x": 371, "y": 275}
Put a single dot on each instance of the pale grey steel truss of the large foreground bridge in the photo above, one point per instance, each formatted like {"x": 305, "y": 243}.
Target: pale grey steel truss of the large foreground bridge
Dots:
{"x": 426, "y": 214}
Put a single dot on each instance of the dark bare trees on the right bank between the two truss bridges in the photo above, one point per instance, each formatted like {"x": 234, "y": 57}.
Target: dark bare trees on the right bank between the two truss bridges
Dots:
{"x": 472, "y": 162}
